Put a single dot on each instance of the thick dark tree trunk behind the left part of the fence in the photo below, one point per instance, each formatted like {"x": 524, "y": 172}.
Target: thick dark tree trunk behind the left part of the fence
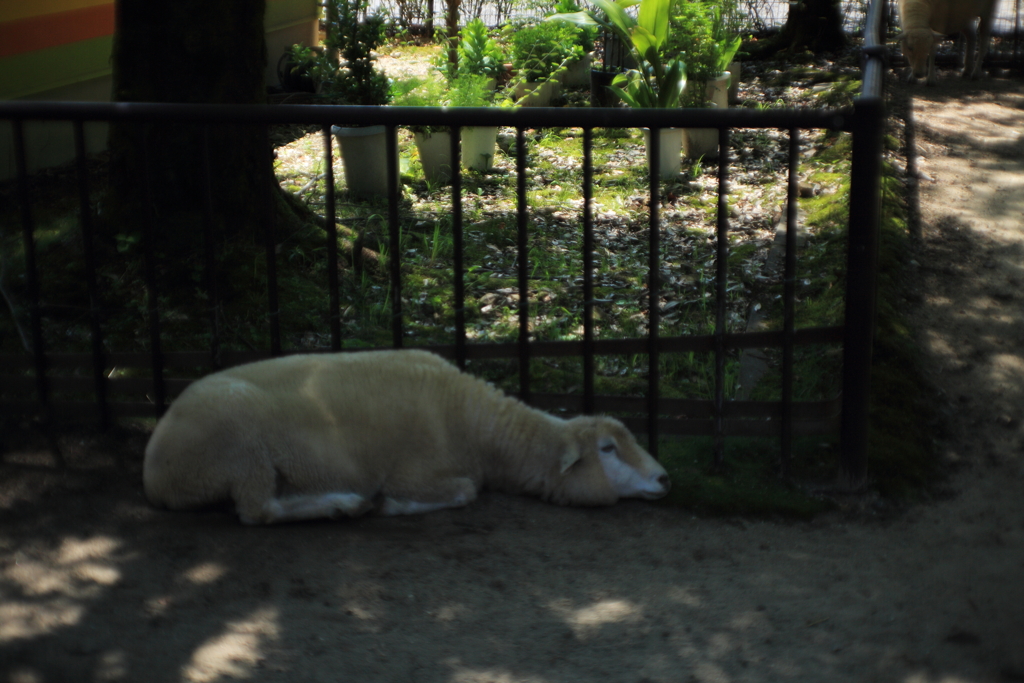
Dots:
{"x": 189, "y": 52}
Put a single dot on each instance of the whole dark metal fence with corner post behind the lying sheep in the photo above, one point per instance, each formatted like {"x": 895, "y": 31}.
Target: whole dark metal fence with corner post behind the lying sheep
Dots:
{"x": 28, "y": 381}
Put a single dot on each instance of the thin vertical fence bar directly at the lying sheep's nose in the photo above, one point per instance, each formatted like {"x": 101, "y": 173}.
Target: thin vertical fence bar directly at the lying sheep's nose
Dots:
{"x": 654, "y": 290}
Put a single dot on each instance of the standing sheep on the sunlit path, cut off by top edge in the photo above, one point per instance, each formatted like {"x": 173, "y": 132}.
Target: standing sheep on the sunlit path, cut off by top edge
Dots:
{"x": 926, "y": 23}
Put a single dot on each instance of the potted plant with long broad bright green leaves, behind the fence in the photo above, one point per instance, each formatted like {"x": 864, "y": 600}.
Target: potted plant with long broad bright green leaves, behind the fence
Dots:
{"x": 659, "y": 79}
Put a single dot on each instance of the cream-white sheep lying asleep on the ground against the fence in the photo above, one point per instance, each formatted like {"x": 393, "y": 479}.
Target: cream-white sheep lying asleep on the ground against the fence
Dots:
{"x": 398, "y": 433}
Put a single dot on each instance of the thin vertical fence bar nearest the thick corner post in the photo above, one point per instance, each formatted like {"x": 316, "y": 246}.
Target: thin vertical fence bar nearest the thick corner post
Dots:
{"x": 789, "y": 304}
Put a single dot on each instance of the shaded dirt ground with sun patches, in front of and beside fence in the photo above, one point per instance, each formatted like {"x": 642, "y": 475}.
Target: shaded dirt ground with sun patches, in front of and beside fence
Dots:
{"x": 96, "y": 585}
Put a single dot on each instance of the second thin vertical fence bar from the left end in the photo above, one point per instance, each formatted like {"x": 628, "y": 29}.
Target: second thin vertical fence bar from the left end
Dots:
{"x": 86, "y": 224}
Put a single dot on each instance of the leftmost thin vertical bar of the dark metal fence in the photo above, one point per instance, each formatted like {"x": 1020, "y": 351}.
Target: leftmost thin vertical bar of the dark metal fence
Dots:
{"x": 31, "y": 275}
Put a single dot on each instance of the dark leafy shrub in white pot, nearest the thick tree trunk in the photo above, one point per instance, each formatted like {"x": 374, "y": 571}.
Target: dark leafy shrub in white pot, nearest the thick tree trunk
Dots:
{"x": 349, "y": 75}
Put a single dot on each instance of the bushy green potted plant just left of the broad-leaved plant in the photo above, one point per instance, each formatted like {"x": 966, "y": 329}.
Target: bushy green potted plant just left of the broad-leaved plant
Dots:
{"x": 540, "y": 54}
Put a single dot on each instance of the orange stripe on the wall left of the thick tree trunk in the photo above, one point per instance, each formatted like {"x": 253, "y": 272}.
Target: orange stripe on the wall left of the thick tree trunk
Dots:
{"x": 39, "y": 33}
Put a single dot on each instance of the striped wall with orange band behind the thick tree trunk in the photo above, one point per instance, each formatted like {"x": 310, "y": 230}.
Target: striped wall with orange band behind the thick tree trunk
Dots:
{"x": 61, "y": 51}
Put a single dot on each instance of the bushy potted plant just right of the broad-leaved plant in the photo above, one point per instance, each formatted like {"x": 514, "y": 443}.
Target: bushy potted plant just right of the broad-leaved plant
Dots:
{"x": 703, "y": 34}
